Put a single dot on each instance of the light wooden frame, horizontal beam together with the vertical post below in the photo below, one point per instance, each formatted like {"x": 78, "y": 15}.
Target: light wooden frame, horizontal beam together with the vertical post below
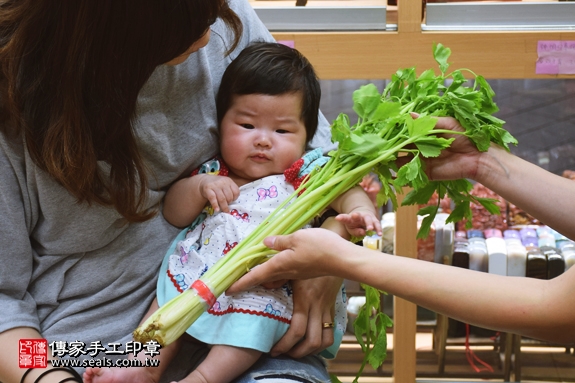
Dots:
{"x": 377, "y": 55}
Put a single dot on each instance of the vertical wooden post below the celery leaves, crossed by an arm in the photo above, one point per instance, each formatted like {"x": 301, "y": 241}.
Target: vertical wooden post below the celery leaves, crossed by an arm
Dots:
{"x": 404, "y": 312}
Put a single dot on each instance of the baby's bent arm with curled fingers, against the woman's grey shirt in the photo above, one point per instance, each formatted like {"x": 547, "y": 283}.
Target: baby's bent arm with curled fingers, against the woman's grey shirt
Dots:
{"x": 187, "y": 197}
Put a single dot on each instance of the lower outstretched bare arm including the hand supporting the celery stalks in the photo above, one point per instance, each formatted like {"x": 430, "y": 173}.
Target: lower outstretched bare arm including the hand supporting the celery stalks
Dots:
{"x": 531, "y": 307}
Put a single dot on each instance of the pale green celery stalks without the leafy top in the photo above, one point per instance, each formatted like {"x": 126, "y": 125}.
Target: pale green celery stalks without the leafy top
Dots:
{"x": 322, "y": 188}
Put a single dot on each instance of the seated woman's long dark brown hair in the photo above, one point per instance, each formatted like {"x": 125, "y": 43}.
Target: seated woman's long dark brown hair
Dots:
{"x": 70, "y": 74}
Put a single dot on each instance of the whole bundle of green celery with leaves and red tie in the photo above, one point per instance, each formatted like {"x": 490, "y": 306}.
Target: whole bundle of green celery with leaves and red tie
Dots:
{"x": 385, "y": 129}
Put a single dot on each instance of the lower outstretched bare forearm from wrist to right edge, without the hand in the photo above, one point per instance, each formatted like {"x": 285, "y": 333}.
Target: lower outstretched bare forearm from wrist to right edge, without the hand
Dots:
{"x": 527, "y": 306}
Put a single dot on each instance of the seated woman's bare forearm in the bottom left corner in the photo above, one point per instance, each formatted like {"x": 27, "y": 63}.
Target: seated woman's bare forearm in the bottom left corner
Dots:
{"x": 10, "y": 372}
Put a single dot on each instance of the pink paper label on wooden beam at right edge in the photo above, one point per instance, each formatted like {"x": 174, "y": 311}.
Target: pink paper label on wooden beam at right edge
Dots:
{"x": 555, "y": 57}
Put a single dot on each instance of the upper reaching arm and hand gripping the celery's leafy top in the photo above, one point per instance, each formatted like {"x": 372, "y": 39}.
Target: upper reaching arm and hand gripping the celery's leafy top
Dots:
{"x": 540, "y": 193}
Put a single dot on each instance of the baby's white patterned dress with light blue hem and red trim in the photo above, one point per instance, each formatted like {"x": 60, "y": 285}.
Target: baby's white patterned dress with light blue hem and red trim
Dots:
{"x": 254, "y": 319}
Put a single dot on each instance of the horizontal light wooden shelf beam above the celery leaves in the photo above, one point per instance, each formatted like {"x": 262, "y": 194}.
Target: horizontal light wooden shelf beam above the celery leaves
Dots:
{"x": 378, "y": 54}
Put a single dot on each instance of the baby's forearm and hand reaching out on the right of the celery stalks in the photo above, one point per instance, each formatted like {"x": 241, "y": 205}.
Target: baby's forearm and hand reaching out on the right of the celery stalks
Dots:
{"x": 357, "y": 212}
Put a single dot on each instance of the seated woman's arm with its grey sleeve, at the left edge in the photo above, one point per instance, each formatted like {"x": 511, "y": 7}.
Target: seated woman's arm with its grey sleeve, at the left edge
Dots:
{"x": 18, "y": 316}
